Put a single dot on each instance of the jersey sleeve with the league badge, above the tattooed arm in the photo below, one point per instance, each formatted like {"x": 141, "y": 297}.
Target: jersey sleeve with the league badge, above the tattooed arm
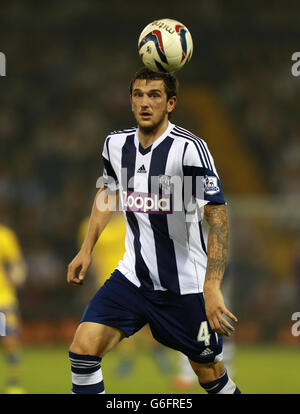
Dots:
{"x": 205, "y": 183}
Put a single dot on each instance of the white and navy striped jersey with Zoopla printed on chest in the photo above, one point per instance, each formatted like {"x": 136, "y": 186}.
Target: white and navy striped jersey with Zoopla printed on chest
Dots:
{"x": 165, "y": 243}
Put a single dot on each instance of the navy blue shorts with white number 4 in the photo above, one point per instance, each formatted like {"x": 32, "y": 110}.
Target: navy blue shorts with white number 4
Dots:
{"x": 179, "y": 322}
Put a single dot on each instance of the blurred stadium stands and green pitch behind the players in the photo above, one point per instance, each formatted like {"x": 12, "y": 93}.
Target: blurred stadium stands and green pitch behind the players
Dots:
{"x": 68, "y": 69}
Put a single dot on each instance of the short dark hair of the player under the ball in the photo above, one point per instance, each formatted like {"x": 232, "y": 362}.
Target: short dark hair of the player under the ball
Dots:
{"x": 170, "y": 81}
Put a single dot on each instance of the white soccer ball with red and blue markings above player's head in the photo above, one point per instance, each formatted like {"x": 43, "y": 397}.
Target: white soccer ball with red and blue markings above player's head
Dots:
{"x": 165, "y": 45}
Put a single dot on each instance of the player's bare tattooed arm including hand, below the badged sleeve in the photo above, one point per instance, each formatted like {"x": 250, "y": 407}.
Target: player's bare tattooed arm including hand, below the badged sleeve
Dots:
{"x": 217, "y": 252}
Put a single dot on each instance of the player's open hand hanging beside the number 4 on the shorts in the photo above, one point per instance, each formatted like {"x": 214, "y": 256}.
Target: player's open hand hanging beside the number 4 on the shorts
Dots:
{"x": 216, "y": 311}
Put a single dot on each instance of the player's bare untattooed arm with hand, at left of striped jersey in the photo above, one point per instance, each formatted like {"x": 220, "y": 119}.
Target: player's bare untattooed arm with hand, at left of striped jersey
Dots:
{"x": 99, "y": 218}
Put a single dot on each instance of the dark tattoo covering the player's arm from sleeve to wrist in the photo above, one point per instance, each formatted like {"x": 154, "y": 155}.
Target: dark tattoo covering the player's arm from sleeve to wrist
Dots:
{"x": 217, "y": 243}
